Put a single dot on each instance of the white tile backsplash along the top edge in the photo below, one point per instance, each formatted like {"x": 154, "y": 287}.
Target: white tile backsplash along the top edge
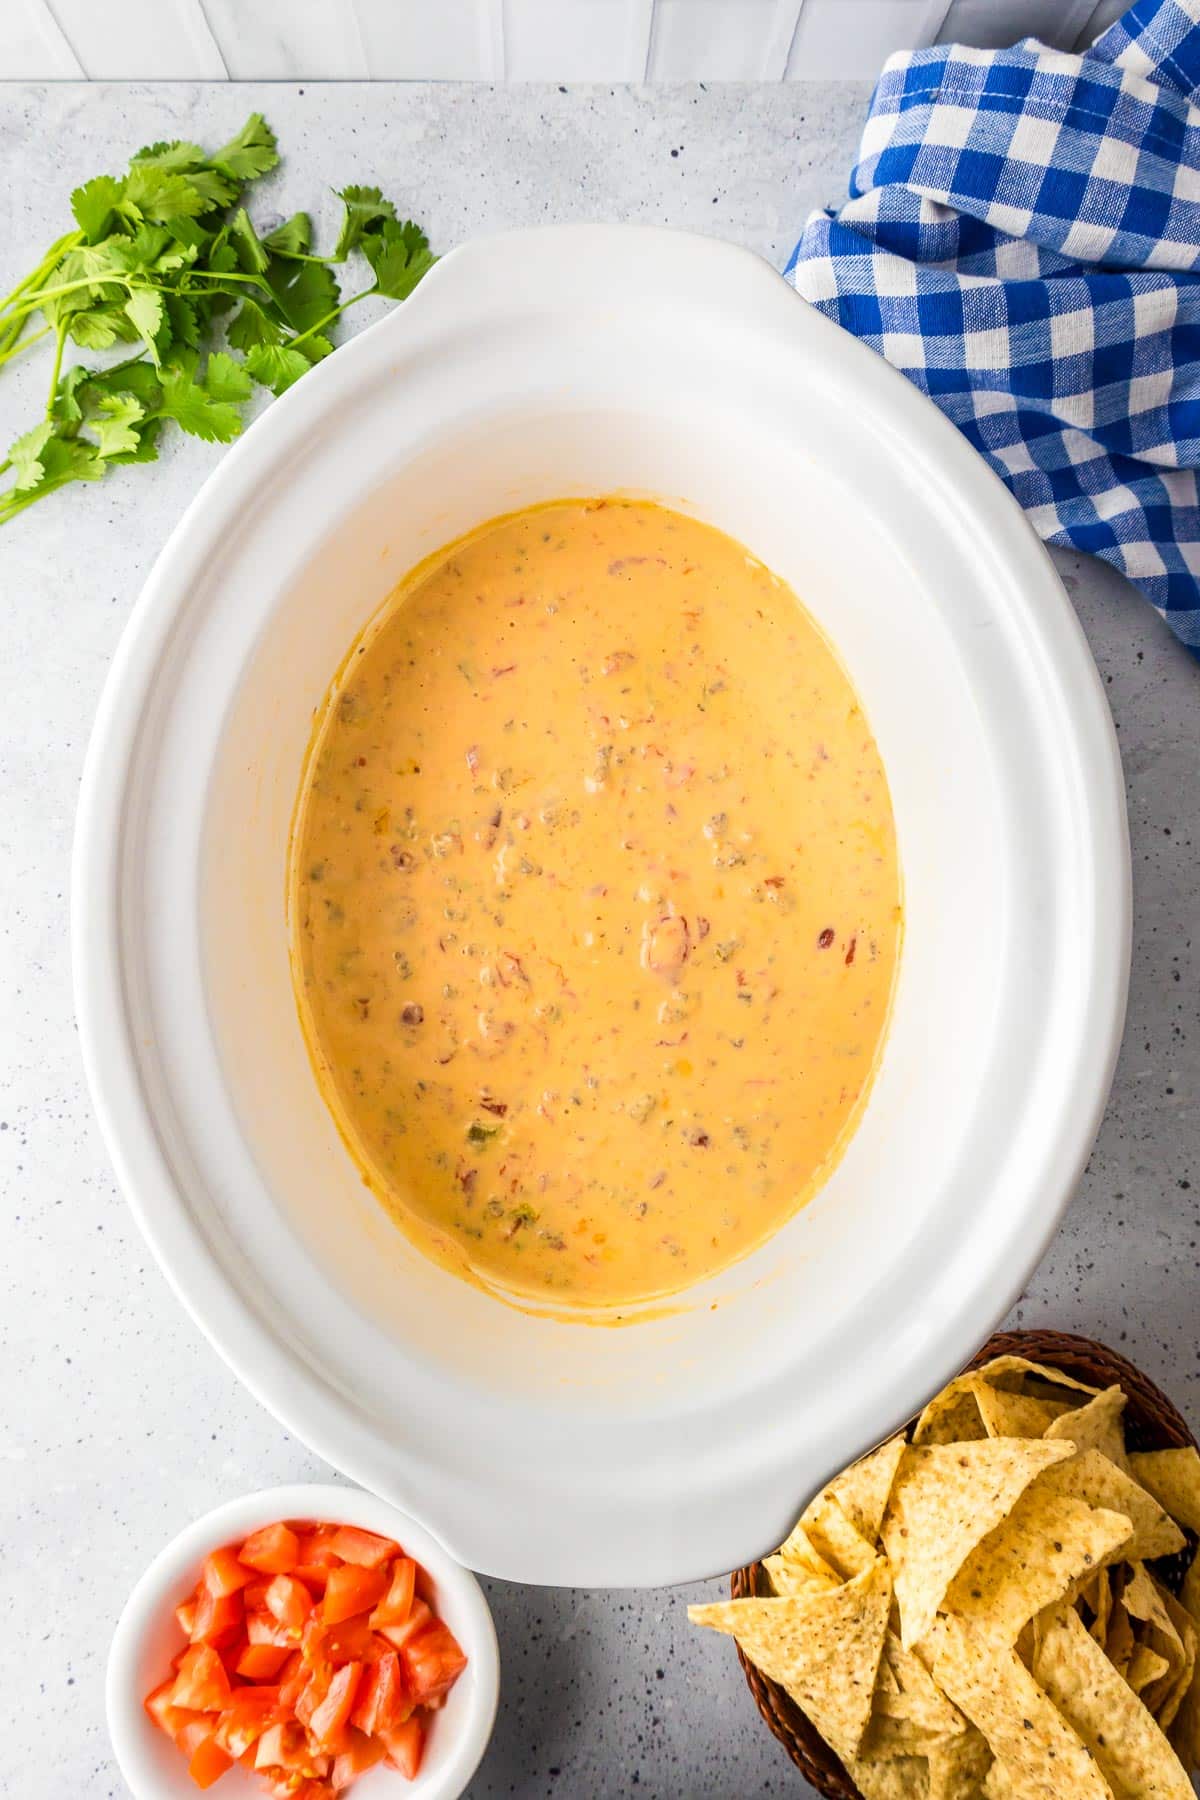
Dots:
{"x": 510, "y": 40}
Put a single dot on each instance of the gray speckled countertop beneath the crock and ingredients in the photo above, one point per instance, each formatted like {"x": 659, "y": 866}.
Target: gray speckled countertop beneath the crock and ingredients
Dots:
{"x": 118, "y": 1423}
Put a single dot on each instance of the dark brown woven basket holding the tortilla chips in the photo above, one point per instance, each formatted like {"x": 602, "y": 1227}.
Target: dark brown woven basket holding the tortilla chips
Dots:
{"x": 1151, "y": 1423}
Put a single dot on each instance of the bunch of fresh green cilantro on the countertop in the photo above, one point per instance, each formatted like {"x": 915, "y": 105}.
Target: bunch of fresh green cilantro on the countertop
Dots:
{"x": 168, "y": 258}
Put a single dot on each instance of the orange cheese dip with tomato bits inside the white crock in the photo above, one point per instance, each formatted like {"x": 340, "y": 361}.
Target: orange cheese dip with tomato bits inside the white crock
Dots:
{"x": 595, "y": 904}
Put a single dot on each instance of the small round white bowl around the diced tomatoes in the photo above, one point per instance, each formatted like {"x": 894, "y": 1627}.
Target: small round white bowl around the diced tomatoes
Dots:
{"x": 148, "y": 1637}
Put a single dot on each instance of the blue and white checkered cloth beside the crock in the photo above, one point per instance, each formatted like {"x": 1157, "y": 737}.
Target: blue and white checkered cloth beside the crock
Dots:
{"x": 1023, "y": 242}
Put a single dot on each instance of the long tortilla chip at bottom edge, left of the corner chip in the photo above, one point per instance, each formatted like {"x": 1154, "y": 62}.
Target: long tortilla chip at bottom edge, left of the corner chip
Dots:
{"x": 1039, "y": 1750}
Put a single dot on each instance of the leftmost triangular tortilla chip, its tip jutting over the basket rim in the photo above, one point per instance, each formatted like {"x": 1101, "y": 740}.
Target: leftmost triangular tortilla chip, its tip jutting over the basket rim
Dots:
{"x": 825, "y": 1650}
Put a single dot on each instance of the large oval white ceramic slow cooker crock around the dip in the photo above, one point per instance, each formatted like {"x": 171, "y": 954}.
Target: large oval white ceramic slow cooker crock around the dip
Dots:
{"x": 582, "y": 361}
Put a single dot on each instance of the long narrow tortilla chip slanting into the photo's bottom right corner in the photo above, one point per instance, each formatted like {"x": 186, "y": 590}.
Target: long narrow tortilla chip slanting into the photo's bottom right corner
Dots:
{"x": 1106, "y": 1713}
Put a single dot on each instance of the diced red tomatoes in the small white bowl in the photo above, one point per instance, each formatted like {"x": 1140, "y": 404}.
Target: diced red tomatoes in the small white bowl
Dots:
{"x": 314, "y": 1653}
